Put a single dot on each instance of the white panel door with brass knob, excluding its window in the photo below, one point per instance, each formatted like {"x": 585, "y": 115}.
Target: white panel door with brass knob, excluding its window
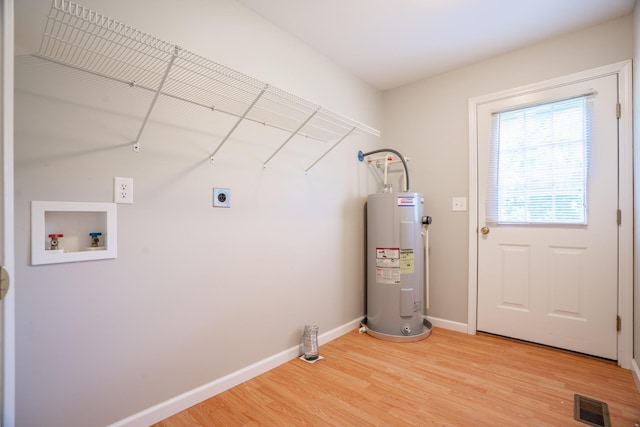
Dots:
{"x": 555, "y": 284}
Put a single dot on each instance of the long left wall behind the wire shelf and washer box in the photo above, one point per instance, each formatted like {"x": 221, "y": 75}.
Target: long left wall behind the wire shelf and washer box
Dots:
{"x": 196, "y": 293}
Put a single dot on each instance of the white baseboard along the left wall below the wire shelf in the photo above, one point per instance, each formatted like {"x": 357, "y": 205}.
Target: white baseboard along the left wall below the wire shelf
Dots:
{"x": 181, "y": 402}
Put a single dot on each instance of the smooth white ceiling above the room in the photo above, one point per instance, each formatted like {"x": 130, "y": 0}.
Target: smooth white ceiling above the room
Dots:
{"x": 389, "y": 43}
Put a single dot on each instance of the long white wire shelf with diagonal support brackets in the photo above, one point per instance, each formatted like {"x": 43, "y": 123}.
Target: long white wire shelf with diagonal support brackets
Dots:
{"x": 80, "y": 38}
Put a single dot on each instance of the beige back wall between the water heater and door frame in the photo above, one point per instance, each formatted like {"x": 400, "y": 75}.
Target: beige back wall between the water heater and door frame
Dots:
{"x": 428, "y": 121}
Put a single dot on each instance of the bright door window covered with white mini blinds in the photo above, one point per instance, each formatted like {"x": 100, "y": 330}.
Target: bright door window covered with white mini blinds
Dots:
{"x": 539, "y": 164}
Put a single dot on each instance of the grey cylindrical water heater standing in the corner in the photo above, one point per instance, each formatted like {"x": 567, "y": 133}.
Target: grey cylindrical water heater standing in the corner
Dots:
{"x": 396, "y": 266}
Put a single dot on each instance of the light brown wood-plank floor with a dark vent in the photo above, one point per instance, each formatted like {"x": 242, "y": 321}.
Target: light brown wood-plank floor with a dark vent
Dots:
{"x": 448, "y": 379}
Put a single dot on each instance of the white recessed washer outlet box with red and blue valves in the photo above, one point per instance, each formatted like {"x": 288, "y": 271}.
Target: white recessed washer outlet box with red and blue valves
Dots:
{"x": 72, "y": 231}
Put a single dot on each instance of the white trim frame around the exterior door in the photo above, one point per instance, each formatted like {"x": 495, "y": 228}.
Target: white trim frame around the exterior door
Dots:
{"x": 625, "y": 179}
